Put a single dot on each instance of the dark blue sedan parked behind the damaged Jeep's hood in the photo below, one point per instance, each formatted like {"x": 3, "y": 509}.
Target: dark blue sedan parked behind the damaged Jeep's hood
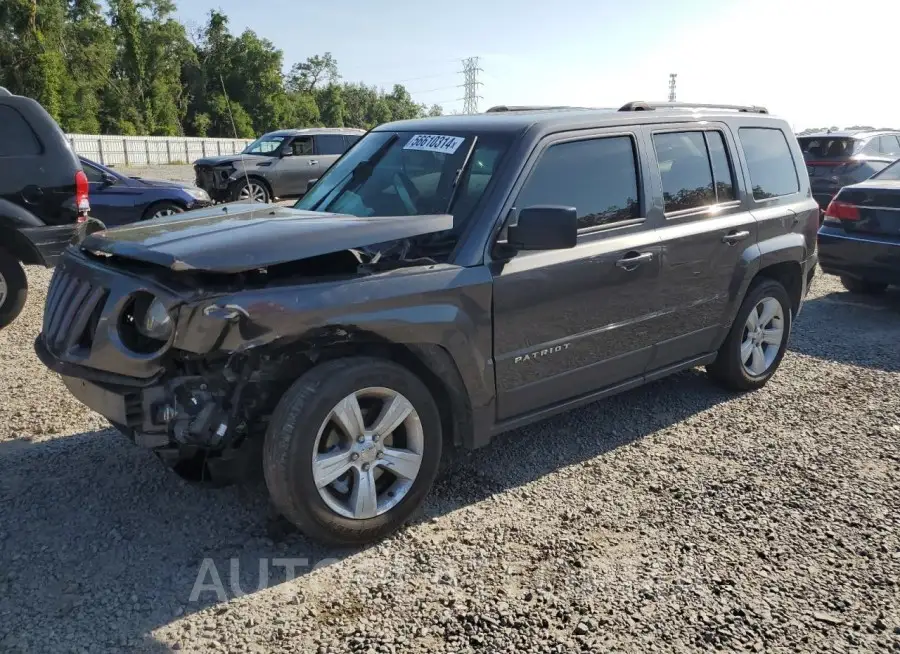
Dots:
{"x": 119, "y": 200}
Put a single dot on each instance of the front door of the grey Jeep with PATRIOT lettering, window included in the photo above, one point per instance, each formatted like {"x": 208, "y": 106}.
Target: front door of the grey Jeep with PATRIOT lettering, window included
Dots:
{"x": 569, "y": 322}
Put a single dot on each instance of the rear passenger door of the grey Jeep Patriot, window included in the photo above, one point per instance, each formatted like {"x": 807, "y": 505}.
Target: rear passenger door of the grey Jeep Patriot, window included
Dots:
{"x": 707, "y": 228}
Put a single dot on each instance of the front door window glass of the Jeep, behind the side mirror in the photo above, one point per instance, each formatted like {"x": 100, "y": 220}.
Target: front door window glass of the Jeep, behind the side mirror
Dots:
{"x": 598, "y": 177}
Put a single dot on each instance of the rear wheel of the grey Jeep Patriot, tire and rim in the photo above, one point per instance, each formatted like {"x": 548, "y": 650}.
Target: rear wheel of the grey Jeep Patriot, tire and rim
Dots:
{"x": 758, "y": 338}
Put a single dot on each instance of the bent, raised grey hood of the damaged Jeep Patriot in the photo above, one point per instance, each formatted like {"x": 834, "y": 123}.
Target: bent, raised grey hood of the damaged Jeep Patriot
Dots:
{"x": 238, "y": 237}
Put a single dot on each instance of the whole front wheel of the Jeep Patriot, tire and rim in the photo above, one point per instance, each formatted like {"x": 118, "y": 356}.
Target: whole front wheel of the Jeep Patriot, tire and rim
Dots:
{"x": 352, "y": 450}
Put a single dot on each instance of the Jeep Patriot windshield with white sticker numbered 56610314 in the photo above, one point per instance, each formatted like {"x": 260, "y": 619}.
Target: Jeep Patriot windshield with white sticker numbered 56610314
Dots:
{"x": 411, "y": 174}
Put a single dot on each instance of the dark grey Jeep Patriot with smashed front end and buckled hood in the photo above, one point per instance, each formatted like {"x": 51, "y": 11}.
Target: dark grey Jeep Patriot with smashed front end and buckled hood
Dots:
{"x": 446, "y": 280}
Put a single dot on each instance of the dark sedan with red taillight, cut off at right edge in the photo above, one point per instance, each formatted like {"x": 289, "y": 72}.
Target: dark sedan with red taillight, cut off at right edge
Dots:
{"x": 860, "y": 238}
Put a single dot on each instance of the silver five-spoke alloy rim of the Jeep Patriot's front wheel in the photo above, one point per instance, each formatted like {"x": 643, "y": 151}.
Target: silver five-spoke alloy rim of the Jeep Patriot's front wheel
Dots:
{"x": 367, "y": 453}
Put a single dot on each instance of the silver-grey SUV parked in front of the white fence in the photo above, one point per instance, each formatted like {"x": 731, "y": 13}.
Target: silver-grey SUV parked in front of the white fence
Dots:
{"x": 276, "y": 165}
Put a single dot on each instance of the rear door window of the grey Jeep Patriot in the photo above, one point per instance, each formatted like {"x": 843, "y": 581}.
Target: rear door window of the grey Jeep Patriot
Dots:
{"x": 694, "y": 168}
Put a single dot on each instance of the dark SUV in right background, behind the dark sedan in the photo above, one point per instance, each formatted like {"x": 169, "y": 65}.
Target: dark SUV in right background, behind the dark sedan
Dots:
{"x": 838, "y": 159}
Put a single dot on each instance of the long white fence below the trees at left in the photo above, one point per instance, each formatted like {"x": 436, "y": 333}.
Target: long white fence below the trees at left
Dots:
{"x": 150, "y": 150}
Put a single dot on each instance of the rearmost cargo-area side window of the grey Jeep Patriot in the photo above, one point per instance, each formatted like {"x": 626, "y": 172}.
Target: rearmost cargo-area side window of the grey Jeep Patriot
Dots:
{"x": 769, "y": 160}
